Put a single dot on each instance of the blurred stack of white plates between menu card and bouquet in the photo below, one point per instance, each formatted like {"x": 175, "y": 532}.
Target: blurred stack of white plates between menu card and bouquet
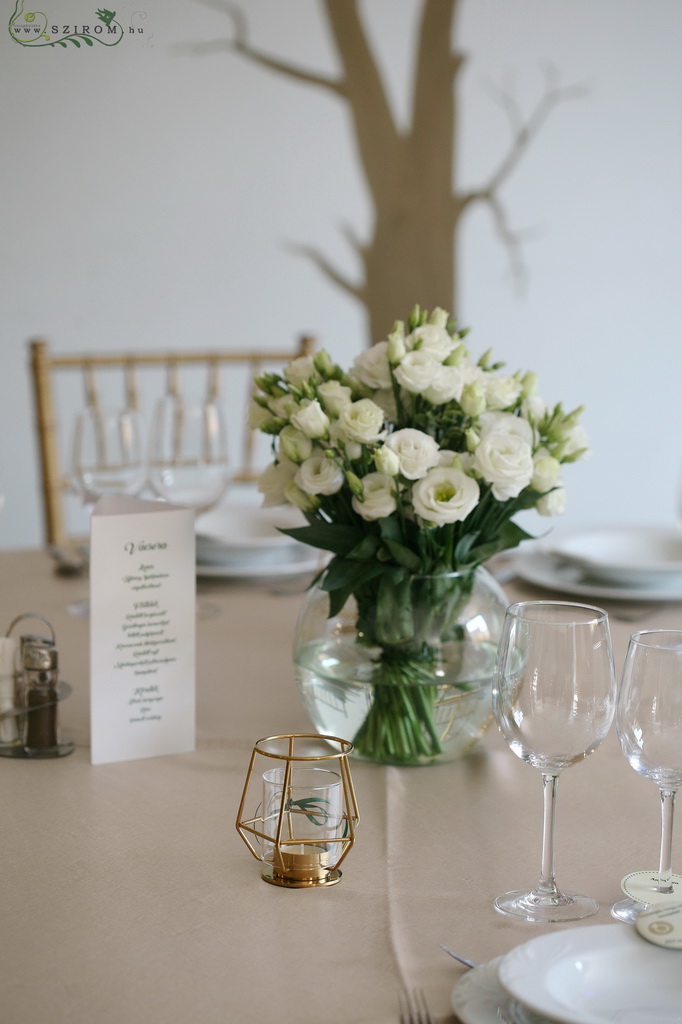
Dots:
{"x": 245, "y": 541}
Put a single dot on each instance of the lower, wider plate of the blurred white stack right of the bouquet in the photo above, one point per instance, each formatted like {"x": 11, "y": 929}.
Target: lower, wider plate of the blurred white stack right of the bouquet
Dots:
{"x": 546, "y": 570}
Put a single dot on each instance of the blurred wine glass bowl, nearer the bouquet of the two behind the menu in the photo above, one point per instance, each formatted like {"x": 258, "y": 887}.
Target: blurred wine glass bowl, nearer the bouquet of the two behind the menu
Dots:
{"x": 189, "y": 462}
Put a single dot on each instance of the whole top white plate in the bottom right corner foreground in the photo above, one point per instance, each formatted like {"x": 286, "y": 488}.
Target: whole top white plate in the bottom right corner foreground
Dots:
{"x": 598, "y": 974}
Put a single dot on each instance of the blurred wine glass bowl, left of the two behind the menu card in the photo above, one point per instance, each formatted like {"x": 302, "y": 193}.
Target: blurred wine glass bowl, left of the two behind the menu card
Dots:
{"x": 108, "y": 454}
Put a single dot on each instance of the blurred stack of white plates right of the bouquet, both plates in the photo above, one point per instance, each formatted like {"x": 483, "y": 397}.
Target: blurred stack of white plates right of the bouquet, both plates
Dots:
{"x": 626, "y": 564}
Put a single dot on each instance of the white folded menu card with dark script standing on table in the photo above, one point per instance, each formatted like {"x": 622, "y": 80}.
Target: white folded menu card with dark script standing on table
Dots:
{"x": 143, "y": 629}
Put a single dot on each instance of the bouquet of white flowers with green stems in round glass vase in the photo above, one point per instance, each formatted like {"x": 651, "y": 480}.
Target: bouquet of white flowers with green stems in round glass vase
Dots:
{"x": 411, "y": 464}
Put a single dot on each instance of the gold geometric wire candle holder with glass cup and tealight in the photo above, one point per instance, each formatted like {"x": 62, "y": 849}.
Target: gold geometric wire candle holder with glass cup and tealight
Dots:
{"x": 307, "y": 814}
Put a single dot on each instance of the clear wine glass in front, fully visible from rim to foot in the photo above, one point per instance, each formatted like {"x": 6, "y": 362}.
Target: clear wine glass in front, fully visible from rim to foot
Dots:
{"x": 555, "y": 698}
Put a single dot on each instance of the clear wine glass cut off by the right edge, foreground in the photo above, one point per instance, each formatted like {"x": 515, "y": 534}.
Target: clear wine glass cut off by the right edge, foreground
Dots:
{"x": 649, "y": 721}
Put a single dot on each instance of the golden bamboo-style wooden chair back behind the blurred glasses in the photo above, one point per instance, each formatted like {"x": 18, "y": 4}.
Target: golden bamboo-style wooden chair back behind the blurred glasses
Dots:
{"x": 50, "y": 371}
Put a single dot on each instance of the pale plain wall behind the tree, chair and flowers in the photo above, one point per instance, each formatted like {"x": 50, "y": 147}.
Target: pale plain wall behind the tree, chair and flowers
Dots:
{"x": 149, "y": 192}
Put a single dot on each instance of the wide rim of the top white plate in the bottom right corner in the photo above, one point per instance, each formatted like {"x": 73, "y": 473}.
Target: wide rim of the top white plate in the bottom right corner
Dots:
{"x": 623, "y": 935}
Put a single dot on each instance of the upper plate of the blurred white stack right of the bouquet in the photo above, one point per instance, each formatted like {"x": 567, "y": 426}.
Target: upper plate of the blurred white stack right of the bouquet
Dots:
{"x": 631, "y": 557}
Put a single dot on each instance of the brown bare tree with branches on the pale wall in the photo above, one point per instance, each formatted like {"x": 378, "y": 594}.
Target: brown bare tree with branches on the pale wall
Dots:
{"x": 412, "y": 252}
